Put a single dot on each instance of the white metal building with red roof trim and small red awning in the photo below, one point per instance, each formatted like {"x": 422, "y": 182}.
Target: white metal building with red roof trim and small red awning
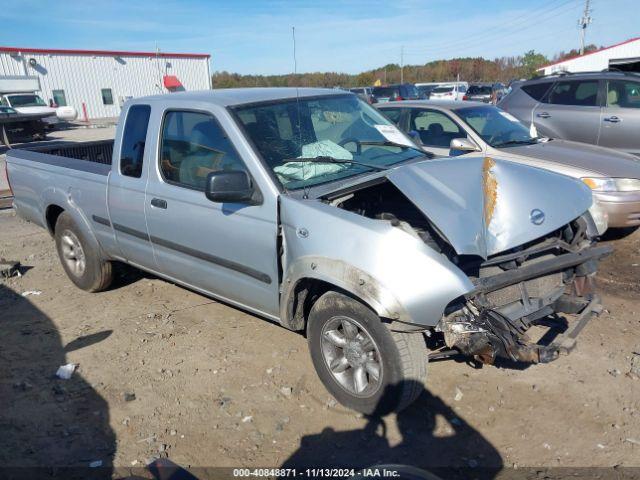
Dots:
{"x": 103, "y": 80}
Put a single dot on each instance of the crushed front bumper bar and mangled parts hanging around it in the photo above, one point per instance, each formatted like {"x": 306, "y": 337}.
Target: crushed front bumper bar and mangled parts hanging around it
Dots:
{"x": 487, "y": 332}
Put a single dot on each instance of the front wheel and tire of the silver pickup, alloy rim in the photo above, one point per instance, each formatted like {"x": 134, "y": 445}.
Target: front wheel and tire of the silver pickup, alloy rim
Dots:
{"x": 364, "y": 365}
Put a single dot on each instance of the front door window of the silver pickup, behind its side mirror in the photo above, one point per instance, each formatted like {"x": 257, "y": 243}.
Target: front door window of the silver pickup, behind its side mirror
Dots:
{"x": 194, "y": 145}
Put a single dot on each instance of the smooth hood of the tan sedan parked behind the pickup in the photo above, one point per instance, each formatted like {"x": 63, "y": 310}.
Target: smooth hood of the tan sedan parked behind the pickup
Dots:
{"x": 590, "y": 158}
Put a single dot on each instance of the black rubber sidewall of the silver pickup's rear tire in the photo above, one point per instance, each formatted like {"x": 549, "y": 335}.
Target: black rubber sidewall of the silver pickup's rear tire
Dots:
{"x": 87, "y": 281}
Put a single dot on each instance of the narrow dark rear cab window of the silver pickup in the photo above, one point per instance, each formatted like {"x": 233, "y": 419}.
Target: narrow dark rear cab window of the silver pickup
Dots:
{"x": 133, "y": 140}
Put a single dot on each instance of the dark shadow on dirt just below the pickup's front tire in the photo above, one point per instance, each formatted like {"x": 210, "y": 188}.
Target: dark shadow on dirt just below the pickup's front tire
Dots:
{"x": 433, "y": 438}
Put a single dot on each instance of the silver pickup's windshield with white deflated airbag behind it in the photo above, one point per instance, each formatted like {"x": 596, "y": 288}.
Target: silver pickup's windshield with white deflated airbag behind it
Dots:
{"x": 335, "y": 127}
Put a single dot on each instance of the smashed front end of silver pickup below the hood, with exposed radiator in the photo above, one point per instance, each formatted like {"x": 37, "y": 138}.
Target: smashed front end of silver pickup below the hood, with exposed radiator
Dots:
{"x": 514, "y": 291}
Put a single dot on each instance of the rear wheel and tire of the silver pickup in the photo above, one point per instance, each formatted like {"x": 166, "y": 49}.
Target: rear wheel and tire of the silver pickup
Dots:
{"x": 82, "y": 262}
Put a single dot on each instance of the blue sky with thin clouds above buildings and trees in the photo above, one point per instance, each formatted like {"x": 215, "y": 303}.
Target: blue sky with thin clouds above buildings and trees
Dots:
{"x": 249, "y": 36}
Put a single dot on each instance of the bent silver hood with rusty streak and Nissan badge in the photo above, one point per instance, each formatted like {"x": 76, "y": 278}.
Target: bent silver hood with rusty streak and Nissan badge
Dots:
{"x": 484, "y": 206}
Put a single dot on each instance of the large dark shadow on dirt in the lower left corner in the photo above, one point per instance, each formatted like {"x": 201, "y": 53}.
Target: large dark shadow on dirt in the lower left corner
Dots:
{"x": 50, "y": 427}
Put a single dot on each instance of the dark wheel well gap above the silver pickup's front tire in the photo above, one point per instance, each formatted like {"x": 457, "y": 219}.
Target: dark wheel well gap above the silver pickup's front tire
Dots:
{"x": 306, "y": 292}
